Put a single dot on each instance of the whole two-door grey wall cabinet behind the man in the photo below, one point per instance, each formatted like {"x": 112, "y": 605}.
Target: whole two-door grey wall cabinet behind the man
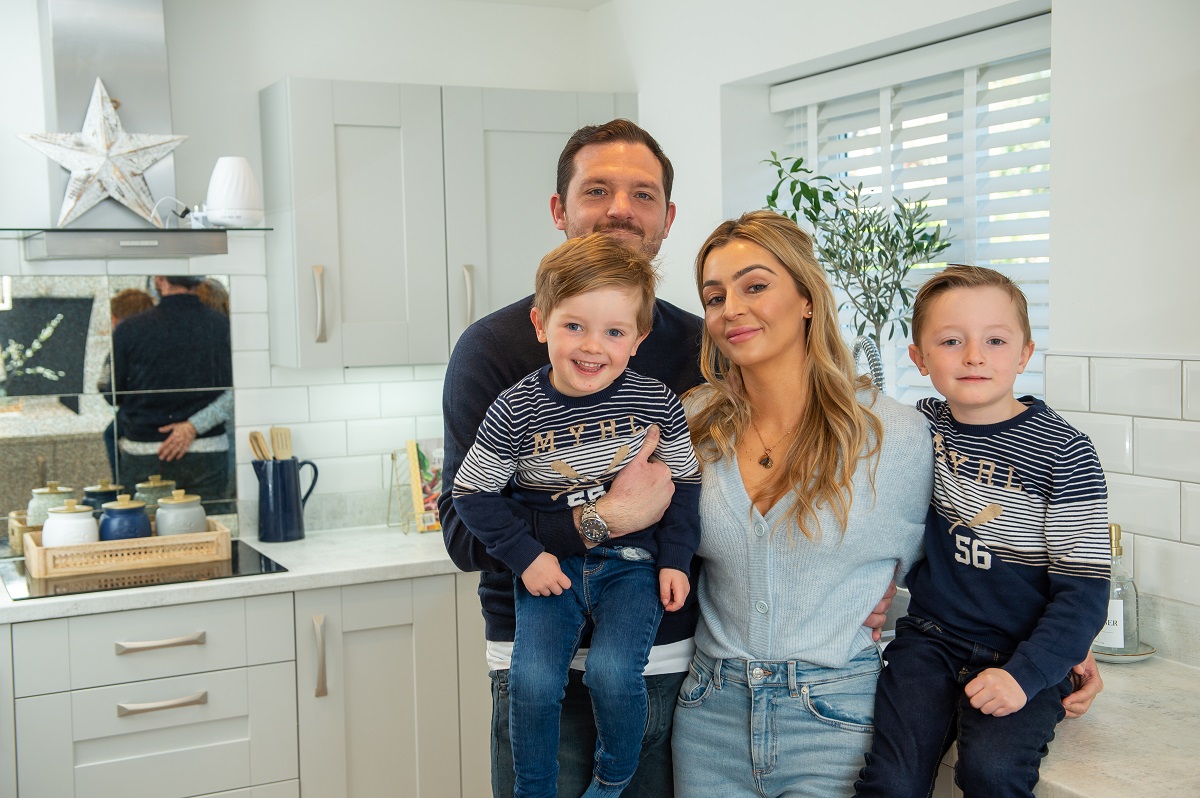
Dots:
{"x": 400, "y": 214}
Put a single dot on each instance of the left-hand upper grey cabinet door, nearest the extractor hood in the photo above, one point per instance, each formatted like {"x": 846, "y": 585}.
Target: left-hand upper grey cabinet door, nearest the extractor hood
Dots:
{"x": 353, "y": 188}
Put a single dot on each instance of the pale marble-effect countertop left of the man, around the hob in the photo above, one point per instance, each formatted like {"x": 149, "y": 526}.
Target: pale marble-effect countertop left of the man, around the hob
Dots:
{"x": 325, "y": 559}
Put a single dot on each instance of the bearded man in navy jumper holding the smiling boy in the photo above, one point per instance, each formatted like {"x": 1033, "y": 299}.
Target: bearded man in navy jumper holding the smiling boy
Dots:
{"x": 613, "y": 179}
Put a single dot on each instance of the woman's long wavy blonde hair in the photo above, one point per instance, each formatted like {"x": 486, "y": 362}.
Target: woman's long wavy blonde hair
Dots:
{"x": 835, "y": 433}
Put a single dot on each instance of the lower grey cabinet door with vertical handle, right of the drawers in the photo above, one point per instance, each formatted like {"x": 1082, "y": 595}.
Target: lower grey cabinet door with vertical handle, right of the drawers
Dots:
{"x": 379, "y": 700}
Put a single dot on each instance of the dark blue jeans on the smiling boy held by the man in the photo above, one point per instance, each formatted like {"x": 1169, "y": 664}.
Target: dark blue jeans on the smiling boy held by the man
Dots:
{"x": 622, "y": 599}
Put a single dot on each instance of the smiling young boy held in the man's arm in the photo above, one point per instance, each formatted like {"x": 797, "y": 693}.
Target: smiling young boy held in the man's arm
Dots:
{"x": 556, "y": 440}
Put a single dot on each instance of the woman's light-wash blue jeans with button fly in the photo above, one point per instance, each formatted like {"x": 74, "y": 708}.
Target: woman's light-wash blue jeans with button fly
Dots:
{"x": 754, "y": 729}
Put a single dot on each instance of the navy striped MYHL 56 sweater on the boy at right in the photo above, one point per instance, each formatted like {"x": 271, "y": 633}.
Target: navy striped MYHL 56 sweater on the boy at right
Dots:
{"x": 1017, "y": 545}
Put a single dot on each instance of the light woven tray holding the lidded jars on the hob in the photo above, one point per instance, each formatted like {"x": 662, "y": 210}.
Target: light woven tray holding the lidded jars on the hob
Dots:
{"x": 130, "y": 555}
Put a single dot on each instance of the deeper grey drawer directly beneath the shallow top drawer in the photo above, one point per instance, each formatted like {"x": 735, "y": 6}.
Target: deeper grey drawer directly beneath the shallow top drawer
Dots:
{"x": 166, "y": 739}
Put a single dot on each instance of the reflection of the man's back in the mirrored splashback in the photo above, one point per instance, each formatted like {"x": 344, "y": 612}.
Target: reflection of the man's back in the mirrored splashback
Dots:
{"x": 181, "y": 349}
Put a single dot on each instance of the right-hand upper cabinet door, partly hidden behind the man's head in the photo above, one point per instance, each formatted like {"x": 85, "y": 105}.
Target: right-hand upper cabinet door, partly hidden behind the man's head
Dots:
{"x": 502, "y": 152}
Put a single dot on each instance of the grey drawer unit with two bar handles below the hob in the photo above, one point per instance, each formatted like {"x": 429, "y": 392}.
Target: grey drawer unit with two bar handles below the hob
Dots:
{"x": 176, "y": 701}
